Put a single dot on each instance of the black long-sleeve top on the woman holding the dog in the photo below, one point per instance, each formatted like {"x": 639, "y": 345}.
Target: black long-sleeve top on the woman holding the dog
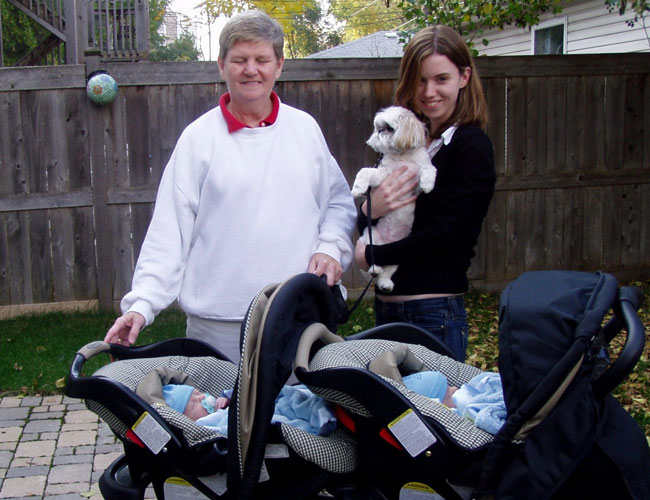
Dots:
{"x": 435, "y": 257}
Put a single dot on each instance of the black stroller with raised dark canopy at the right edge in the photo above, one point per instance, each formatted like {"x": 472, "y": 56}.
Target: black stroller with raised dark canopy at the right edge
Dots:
{"x": 565, "y": 436}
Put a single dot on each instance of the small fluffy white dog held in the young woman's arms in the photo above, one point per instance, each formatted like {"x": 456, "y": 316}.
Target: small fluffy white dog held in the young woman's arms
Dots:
{"x": 400, "y": 137}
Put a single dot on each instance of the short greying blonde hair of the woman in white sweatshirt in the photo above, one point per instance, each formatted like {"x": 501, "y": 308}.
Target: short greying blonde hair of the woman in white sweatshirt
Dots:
{"x": 250, "y": 26}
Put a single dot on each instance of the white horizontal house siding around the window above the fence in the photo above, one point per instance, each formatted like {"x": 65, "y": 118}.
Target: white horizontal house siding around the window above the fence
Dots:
{"x": 591, "y": 28}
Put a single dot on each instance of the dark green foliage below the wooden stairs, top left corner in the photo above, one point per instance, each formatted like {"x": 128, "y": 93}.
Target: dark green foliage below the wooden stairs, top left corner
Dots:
{"x": 20, "y": 34}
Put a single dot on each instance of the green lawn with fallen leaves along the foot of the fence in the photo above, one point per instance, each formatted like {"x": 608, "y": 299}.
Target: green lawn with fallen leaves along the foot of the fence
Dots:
{"x": 36, "y": 351}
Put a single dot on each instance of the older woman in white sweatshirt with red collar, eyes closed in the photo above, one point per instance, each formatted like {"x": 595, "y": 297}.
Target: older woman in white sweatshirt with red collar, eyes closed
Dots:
{"x": 250, "y": 196}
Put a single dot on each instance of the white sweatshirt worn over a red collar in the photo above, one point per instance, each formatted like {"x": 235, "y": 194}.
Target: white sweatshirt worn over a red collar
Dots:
{"x": 236, "y": 212}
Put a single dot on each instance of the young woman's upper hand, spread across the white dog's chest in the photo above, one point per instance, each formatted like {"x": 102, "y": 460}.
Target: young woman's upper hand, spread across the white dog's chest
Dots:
{"x": 393, "y": 193}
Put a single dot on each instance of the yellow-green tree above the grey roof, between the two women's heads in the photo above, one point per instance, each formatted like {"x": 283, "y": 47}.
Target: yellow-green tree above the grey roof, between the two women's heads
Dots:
{"x": 364, "y": 17}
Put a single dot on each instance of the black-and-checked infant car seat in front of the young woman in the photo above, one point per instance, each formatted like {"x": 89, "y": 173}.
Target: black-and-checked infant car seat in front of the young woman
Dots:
{"x": 408, "y": 444}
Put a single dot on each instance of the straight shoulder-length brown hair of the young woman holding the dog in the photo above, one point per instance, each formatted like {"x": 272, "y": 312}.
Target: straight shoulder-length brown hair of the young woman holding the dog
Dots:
{"x": 471, "y": 106}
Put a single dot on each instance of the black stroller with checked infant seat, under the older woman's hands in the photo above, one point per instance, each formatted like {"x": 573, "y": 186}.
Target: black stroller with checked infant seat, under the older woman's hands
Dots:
{"x": 166, "y": 449}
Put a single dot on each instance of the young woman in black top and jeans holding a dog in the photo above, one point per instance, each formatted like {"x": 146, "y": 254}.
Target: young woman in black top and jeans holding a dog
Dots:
{"x": 439, "y": 82}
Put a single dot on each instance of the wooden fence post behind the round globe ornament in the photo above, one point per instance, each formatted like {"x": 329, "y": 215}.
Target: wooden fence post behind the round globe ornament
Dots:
{"x": 96, "y": 126}
